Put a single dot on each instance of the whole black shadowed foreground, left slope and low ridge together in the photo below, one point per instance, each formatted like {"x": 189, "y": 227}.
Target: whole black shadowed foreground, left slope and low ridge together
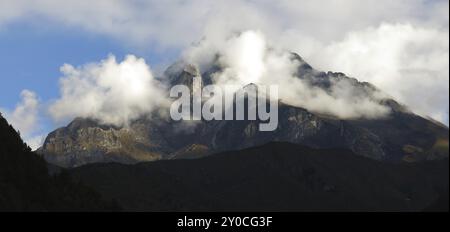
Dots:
{"x": 273, "y": 177}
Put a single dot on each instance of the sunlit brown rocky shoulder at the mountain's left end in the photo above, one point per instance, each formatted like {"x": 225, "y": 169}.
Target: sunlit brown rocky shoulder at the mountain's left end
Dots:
{"x": 85, "y": 141}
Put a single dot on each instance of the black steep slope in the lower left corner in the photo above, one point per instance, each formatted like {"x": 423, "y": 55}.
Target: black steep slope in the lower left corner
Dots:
{"x": 25, "y": 184}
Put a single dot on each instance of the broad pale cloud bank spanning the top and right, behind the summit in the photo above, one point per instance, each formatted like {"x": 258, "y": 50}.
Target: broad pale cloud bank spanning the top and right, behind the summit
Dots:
{"x": 403, "y": 40}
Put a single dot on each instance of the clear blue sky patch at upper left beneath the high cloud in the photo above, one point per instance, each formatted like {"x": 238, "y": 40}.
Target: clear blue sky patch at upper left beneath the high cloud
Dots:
{"x": 31, "y": 56}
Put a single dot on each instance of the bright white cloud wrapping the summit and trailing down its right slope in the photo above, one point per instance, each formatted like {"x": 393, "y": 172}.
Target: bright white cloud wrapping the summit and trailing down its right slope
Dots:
{"x": 248, "y": 58}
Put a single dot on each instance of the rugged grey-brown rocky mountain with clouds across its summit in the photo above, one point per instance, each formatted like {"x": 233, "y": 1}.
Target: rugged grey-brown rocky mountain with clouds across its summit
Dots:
{"x": 402, "y": 136}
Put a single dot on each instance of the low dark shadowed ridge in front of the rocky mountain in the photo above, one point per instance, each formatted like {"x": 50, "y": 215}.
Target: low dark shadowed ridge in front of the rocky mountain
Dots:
{"x": 273, "y": 177}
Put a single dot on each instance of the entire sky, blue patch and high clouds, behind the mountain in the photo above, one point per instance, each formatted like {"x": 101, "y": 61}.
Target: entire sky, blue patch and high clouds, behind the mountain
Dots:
{"x": 400, "y": 46}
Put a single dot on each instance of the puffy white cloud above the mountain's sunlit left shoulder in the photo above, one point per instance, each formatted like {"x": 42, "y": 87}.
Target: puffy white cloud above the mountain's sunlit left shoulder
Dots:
{"x": 111, "y": 92}
